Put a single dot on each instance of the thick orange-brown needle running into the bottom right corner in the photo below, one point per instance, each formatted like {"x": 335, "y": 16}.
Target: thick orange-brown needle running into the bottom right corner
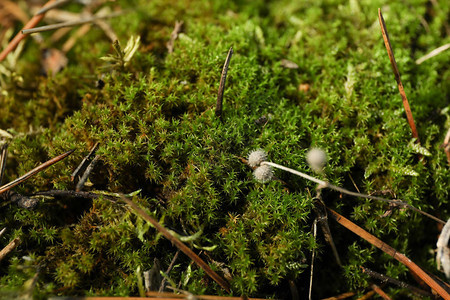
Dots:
{"x": 390, "y": 251}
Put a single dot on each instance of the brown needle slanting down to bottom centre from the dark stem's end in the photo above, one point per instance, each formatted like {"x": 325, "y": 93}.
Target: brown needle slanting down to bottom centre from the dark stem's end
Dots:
{"x": 180, "y": 245}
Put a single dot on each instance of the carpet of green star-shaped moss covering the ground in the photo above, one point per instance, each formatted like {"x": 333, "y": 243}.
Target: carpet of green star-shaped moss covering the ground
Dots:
{"x": 158, "y": 132}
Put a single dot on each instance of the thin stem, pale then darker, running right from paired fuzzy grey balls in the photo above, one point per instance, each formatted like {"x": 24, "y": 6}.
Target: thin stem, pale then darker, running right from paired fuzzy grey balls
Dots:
{"x": 324, "y": 184}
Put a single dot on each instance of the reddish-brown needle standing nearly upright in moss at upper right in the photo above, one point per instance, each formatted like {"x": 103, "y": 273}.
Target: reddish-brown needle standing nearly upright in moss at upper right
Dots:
{"x": 387, "y": 43}
